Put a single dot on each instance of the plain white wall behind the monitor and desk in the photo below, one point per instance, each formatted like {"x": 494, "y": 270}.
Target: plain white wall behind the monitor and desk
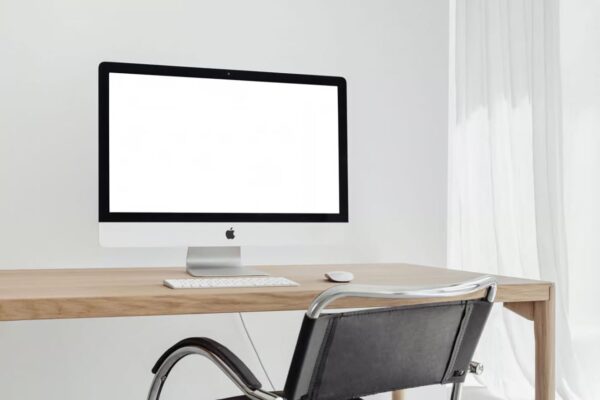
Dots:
{"x": 394, "y": 56}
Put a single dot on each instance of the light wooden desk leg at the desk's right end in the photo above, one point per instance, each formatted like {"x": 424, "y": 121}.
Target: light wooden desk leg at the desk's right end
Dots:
{"x": 544, "y": 328}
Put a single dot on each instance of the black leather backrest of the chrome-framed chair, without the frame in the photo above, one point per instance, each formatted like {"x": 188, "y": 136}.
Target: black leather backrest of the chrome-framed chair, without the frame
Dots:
{"x": 347, "y": 355}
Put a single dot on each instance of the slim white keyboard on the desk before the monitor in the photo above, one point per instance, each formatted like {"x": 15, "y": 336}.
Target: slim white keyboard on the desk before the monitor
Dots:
{"x": 209, "y": 283}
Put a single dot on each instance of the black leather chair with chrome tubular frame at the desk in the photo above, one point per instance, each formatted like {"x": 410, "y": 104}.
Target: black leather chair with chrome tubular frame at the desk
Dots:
{"x": 346, "y": 355}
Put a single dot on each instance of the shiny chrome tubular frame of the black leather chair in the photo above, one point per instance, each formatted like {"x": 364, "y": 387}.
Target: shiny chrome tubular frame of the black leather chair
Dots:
{"x": 315, "y": 309}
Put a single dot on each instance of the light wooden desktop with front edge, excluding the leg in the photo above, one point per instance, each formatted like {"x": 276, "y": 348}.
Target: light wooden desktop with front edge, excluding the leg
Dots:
{"x": 116, "y": 292}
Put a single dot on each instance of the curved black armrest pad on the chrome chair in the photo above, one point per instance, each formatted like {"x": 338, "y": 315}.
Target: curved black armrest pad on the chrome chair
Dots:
{"x": 216, "y": 349}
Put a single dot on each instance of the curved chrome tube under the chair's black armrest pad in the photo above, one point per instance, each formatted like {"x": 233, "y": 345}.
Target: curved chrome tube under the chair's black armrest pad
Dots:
{"x": 163, "y": 372}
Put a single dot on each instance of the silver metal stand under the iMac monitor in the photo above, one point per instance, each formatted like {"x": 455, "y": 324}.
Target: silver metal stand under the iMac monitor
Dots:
{"x": 218, "y": 261}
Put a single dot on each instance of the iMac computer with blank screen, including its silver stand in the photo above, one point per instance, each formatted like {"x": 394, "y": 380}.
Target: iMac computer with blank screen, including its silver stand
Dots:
{"x": 215, "y": 159}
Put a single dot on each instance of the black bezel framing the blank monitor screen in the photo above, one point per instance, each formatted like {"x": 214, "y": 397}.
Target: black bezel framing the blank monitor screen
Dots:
{"x": 105, "y": 215}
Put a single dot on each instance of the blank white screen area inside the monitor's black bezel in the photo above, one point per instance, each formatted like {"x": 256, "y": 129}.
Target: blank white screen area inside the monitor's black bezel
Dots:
{"x": 198, "y": 145}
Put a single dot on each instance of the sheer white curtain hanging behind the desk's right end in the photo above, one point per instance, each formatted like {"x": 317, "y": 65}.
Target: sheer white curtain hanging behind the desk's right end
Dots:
{"x": 506, "y": 212}
